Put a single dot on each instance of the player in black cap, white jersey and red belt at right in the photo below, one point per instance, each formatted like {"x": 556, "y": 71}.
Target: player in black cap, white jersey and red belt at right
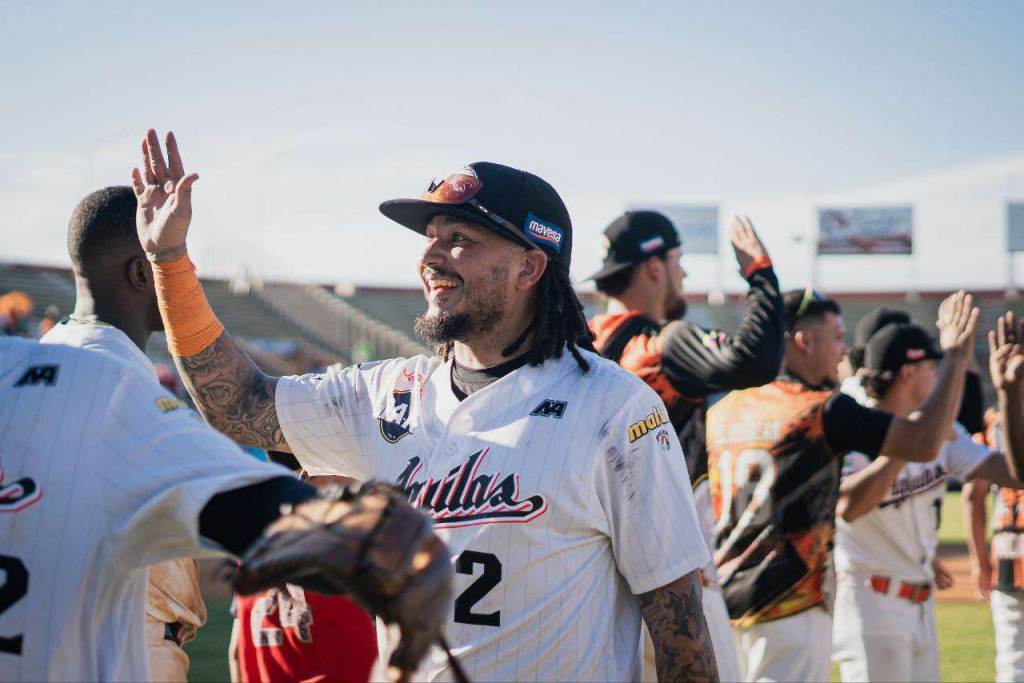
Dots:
{"x": 888, "y": 516}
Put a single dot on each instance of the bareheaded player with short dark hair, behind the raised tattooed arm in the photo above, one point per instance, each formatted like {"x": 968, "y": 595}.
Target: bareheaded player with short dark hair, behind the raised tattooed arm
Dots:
{"x": 115, "y": 314}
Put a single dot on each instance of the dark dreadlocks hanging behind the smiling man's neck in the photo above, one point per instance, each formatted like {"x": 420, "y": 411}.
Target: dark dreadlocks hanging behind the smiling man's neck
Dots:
{"x": 560, "y": 322}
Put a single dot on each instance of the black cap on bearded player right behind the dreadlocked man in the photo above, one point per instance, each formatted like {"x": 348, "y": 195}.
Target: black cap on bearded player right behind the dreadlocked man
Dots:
{"x": 635, "y": 237}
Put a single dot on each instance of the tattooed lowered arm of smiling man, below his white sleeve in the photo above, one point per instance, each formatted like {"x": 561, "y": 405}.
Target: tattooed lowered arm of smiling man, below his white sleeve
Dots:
{"x": 682, "y": 645}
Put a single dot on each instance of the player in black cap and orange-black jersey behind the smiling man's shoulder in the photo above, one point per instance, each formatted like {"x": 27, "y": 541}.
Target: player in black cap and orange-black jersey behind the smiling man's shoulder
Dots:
{"x": 684, "y": 362}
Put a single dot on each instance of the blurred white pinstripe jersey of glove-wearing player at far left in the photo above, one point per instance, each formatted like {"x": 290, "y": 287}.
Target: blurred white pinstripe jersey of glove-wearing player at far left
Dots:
{"x": 102, "y": 474}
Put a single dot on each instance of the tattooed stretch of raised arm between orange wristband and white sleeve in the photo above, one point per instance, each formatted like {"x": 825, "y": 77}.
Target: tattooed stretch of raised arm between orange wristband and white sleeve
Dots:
{"x": 234, "y": 396}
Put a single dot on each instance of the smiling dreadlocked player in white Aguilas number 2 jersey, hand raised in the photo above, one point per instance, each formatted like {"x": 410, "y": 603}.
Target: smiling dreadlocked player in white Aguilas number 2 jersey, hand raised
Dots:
{"x": 557, "y": 476}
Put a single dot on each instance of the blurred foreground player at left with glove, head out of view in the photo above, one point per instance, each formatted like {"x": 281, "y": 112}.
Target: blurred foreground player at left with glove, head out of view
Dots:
{"x": 104, "y": 474}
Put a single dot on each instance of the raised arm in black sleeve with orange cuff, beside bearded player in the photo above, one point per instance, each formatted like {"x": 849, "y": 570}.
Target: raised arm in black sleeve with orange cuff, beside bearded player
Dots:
{"x": 699, "y": 363}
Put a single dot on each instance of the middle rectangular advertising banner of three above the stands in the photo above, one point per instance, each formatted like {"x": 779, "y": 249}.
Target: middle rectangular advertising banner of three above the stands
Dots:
{"x": 866, "y": 231}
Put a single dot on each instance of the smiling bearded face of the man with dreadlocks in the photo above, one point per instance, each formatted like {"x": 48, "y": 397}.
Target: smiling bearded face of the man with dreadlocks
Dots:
{"x": 471, "y": 276}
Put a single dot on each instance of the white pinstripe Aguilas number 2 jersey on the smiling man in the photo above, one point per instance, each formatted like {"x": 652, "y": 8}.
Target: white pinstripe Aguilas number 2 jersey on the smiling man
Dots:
{"x": 562, "y": 496}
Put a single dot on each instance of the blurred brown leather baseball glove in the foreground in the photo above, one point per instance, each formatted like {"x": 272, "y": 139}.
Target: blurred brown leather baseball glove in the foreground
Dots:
{"x": 370, "y": 545}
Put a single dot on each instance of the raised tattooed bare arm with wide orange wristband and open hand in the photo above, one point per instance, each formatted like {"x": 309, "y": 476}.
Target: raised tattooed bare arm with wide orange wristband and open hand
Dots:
{"x": 231, "y": 392}
